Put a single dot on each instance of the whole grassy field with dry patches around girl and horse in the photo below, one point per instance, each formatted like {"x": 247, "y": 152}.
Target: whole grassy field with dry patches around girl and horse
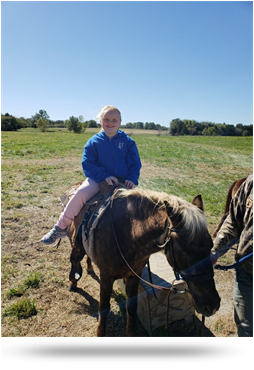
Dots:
{"x": 36, "y": 168}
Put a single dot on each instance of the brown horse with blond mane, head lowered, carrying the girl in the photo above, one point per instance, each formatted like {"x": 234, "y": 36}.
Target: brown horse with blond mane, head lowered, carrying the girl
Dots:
{"x": 137, "y": 224}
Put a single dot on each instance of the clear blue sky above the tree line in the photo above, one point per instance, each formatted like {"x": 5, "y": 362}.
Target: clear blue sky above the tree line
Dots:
{"x": 154, "y": 60}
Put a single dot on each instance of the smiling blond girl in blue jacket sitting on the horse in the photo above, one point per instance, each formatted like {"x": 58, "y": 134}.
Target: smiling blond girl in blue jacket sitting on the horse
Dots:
{"x": 107, "y": 155}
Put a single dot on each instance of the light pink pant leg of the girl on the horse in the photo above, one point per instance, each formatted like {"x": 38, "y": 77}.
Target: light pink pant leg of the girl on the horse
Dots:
{"x": 85, "y": 192}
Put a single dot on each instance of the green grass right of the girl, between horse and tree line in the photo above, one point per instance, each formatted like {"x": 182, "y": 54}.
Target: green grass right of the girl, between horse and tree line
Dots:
{"x": 206, "y": 165}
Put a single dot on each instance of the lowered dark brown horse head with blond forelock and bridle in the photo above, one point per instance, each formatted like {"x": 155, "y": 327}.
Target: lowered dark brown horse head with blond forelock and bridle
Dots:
{"x": 188, "y": 252}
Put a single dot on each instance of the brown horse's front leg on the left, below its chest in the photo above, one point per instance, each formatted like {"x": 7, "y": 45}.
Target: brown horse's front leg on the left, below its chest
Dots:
{"x": 106, "y": 285}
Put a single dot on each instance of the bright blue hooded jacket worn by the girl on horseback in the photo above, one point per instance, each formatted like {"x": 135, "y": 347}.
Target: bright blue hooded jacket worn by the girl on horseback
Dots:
{"x": 104, "y": 157}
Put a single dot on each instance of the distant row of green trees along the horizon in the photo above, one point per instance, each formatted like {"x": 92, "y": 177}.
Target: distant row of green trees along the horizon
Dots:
{"x": 177, "y": 127}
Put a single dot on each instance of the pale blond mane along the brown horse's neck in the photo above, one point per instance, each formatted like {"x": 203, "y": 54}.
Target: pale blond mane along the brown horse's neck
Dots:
{"x": 193, "y": 220}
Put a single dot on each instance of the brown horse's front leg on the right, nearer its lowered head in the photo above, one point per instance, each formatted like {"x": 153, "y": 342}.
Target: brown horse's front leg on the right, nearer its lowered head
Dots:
{"x": 131, "y": 285}
